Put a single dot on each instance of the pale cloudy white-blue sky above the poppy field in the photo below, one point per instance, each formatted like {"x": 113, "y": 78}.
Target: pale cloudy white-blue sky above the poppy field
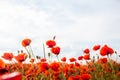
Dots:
{"x": 77, "y": 24}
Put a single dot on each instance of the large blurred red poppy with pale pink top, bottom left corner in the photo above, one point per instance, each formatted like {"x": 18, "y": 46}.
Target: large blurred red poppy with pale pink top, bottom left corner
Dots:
{"x": 11, "y": 76}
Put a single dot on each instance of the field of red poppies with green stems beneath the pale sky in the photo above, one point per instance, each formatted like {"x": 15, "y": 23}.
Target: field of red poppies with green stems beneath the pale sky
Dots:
{"x": 27, "y": 66}
